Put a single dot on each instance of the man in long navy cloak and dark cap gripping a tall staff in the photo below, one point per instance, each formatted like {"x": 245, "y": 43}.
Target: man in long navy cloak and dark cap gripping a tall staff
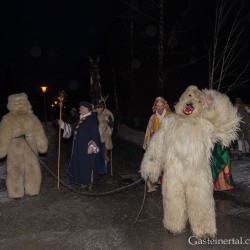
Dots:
{"x": 83, "y": 167}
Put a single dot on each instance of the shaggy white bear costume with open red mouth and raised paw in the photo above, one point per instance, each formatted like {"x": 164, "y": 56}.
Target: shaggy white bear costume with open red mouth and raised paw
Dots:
{"x": 181, "y": 148}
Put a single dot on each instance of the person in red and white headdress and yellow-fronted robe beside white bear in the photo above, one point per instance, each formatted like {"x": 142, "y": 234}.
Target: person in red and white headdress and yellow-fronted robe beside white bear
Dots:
{"x": 160, "y": 110}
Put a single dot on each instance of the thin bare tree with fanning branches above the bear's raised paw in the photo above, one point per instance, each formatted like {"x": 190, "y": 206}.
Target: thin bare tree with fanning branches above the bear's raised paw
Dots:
{"x": 228, "y": 64}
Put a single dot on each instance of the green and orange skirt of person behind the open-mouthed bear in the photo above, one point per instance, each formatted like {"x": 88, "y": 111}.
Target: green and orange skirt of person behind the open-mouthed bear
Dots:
{"x": 221, "y": 171}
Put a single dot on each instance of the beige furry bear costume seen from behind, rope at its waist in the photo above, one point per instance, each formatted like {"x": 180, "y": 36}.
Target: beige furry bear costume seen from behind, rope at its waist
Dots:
{"x": 21, "y": 138}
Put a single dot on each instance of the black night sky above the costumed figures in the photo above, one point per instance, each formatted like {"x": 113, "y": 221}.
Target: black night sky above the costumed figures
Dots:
{"x": 49, "y": 43}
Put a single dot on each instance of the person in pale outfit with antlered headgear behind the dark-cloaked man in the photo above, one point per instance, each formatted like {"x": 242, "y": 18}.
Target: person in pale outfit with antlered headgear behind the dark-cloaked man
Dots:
{"x": 106, "y": 125}
